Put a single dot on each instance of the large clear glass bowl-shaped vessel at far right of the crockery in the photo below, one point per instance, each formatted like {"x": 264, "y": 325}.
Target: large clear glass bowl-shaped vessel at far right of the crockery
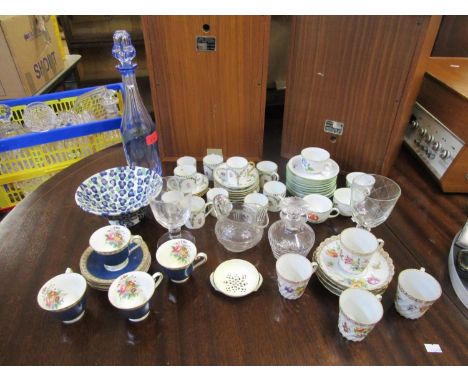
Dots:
{"x": 372, "y": 199}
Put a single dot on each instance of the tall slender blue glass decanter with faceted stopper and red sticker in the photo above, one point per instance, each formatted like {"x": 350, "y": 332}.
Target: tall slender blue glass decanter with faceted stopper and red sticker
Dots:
{"x": 138, "y": 131}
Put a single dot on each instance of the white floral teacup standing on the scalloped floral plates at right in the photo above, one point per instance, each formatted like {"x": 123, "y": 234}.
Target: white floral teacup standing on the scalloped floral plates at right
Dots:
{"x": 357, "y": 246}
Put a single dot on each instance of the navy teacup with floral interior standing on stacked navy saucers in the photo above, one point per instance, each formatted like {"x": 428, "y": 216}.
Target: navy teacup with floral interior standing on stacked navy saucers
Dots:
{"x": 112, "y": 242}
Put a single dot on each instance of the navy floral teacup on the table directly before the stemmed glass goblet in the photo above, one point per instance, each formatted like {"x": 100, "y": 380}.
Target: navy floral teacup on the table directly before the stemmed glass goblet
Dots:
{"x": 179, "y": 258}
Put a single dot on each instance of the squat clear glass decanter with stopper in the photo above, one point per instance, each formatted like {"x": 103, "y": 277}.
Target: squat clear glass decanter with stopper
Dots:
{"x": 291, "y": 234}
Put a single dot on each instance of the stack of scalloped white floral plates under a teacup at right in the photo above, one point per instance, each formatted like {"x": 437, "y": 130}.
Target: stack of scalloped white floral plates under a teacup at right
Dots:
{"x": 375, "y": 278}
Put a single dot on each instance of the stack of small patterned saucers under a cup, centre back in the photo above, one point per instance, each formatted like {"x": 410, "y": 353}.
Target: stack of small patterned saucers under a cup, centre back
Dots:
{"x": 237, "y": 189}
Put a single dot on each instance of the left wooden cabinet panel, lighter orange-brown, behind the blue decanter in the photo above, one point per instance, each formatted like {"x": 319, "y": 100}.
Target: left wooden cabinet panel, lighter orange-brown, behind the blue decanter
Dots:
{"x": 208, "y": 99}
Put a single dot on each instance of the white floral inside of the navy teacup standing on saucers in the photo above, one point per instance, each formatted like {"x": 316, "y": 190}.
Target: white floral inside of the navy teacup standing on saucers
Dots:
{"x": 110, "y": 239}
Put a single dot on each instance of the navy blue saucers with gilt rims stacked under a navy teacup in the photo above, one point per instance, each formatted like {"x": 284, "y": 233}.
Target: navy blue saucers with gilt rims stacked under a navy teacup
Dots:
{"x": 98, "y": 277}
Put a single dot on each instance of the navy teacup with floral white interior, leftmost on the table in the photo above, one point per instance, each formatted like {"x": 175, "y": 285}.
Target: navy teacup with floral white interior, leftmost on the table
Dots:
{"x": 63, "y": 297}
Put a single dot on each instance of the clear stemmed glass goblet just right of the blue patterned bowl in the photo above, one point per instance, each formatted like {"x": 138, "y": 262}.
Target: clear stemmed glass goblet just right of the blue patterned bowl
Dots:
{"x": 171, "y": 208}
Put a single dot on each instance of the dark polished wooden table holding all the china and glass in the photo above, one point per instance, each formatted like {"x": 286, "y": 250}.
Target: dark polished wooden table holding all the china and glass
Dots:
{"x": 191, "y": 324}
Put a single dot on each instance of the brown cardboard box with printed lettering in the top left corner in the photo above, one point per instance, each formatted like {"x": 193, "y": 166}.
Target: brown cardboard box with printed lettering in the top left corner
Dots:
{"x": 29, "y": 55}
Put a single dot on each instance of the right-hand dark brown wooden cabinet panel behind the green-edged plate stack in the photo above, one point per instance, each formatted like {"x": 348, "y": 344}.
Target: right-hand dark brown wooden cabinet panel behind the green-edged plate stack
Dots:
{"x": 359, "y": 70}
